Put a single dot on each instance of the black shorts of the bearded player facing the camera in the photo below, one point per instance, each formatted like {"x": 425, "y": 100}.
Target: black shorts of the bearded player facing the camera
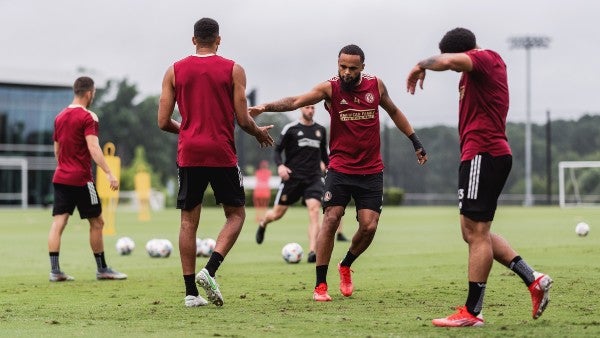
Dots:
{"x": 367, "y": 190}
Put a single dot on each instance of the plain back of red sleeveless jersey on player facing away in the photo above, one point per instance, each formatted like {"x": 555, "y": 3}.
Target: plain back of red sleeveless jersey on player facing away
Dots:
{"x": 204, "y": 96}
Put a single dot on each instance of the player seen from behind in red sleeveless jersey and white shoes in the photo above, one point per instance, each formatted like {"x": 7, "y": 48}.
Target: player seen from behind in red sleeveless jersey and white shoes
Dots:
{"x": 210, "y": 92}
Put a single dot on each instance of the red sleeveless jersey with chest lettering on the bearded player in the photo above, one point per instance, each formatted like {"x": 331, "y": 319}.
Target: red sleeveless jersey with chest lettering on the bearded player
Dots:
{"x": 355, "y": 142}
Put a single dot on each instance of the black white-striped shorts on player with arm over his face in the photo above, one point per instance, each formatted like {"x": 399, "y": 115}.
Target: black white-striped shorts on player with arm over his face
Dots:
{"x": 480, "y": 182}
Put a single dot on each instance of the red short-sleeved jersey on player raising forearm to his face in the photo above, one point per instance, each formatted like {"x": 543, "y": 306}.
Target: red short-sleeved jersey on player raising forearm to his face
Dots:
{"x": 483, "y": 106}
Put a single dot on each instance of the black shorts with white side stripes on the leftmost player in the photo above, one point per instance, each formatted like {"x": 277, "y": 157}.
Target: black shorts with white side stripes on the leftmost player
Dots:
{"x": 85, "y": 198}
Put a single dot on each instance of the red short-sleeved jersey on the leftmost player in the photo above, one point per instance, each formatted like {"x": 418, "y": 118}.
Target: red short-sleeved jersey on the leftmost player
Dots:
{"x": 71, "y": 126}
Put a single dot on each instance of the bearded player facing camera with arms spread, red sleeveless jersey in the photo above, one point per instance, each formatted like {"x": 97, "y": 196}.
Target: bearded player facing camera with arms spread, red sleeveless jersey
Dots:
{"x": 355, "y": 166}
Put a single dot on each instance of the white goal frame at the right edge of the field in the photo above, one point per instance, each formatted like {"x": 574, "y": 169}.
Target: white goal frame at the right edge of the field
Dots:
{"x": 579, "y": 183}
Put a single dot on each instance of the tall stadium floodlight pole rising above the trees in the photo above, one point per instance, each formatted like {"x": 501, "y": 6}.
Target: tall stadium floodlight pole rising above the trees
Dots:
{"x": 527, "y": 43}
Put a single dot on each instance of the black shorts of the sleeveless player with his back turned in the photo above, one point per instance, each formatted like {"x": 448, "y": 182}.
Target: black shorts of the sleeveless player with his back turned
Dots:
{"x": 226, "y": 182}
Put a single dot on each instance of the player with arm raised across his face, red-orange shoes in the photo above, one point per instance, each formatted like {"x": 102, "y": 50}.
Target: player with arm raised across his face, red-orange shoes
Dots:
{"x": 486, "y": 161}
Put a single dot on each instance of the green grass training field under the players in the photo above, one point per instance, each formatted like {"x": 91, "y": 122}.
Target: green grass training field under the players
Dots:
{"x": 414, "y": 271}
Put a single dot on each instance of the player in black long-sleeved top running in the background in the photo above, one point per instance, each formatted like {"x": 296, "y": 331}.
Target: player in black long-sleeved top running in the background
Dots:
{"x": 304, "y": 143}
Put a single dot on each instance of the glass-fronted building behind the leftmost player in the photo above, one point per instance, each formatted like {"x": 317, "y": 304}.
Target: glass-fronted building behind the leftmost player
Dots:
{"x": 27, "y": 160}
